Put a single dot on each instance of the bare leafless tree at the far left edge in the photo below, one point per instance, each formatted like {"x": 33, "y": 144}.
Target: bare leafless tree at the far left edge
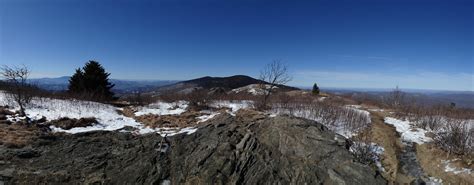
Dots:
{"x": 20, "y": 91}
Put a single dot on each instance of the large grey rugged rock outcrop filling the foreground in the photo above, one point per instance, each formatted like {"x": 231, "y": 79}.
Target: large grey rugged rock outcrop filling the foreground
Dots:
{"x": 246, "y": 149}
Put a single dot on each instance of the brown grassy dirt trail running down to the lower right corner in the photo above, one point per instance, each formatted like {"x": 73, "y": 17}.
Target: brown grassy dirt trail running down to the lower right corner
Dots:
{"x": 411, "y": 163}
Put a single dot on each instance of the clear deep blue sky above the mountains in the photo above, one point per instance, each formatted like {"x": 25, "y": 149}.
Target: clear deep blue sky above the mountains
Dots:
{"x": 422, "y": 44}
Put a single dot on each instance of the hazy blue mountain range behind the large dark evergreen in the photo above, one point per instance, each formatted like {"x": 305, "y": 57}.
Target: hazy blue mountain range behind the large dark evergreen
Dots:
{"x": 121, "y": 86}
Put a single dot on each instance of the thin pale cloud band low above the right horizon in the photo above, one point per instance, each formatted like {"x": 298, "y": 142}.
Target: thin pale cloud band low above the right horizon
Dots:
{"x": 422, "y": 80}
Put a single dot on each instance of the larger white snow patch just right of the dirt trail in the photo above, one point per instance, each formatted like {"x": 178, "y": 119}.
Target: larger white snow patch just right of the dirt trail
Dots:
{"x": 409, "y": 133}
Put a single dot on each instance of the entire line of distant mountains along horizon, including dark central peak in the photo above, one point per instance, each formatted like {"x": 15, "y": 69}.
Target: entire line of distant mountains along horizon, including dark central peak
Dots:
{"x": 461, "y": 98}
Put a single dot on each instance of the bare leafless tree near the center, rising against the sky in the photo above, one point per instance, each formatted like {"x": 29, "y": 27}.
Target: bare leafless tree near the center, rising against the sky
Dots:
{"x": 273, "y": 75}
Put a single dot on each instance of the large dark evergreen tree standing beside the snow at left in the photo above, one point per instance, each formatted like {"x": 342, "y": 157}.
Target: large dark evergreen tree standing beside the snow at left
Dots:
{"x": 93, "y": 81}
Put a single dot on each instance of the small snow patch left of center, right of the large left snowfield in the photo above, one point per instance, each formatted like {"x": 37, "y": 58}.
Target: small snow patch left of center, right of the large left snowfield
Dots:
{"x": 163, "y": 108}
